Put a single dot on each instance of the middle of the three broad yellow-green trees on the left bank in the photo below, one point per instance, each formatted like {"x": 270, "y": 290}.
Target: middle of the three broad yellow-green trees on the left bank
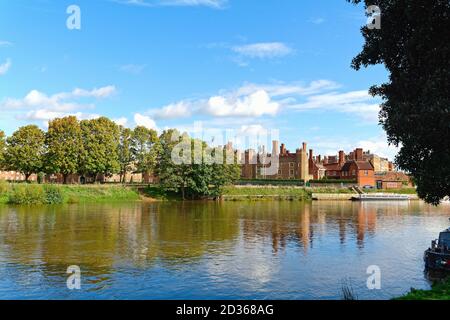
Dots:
{"x": 65, "y": 146}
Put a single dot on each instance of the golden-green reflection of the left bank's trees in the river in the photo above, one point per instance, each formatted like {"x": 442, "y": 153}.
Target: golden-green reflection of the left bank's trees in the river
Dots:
{"x": 99, "y": 238}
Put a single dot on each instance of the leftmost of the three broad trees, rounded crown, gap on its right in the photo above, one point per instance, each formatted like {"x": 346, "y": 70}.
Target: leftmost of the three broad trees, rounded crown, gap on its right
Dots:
{"x": 25, "y": 150}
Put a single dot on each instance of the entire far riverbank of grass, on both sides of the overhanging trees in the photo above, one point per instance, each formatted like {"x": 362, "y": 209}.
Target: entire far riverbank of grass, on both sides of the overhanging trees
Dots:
{"x": 57, "y": 194}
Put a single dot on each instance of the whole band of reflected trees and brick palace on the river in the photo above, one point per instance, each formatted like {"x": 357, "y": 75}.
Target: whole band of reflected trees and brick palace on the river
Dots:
{"x": 100, "y": 238}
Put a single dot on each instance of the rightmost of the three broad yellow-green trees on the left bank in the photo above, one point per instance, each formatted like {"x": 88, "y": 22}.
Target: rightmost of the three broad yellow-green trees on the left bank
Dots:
{"x": 100, "y": 147}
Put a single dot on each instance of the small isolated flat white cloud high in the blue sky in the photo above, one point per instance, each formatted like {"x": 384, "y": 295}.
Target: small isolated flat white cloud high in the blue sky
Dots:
{"x": 264, "y": 50}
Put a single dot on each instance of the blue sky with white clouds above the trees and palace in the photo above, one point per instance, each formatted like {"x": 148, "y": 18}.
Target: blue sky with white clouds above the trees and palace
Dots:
{"x": 242, "y": 66}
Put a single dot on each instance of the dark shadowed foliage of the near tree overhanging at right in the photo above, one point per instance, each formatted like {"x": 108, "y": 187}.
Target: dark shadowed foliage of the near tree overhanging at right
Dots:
{"x": 413, "y": 44}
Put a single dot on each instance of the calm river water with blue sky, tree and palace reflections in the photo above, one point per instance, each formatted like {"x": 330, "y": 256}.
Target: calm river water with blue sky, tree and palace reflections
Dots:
{"x": 207, "y": 250}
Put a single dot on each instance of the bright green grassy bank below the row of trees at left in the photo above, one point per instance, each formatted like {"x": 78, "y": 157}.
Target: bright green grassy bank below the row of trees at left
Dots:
{"x": 31, "y": 194}
